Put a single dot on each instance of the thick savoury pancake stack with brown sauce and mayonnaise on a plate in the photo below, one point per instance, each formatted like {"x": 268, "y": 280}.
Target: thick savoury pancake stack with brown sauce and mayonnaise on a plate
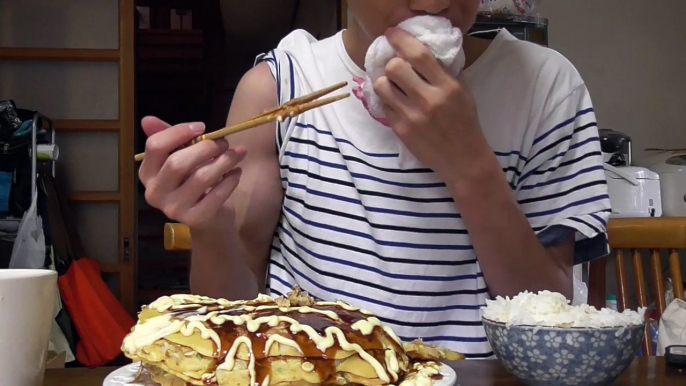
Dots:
{"x": 294, "y": 340}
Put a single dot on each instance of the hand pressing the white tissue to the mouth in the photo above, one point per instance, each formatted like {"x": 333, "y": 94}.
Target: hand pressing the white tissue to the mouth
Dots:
{"x": 432, "y": 113}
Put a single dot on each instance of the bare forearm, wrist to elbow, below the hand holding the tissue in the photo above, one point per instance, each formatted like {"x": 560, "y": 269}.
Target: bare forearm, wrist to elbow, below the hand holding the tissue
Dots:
{"x": 510, "y": 254}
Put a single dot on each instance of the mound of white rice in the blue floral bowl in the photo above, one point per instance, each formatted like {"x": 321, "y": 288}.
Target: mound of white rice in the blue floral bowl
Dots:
{"x": 551, "y": 309}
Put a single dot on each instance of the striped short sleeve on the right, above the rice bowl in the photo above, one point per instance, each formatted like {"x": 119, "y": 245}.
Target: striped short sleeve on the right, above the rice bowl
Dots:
{"x": 562, "y": 188}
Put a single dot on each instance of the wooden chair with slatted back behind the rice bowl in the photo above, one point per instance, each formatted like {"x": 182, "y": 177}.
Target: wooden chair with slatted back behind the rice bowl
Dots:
{"x": 634, "y": 239}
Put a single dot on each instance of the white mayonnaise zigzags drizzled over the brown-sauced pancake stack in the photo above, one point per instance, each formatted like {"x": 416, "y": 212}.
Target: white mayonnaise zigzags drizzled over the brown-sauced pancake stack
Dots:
{"x": 155, "y": 328}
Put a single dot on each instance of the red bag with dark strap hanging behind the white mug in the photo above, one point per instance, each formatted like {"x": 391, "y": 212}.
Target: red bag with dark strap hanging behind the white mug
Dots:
{"x": 99, "y": 318}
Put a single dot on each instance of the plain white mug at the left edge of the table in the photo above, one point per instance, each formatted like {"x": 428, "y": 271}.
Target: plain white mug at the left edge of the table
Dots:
{"x": 27, "y": 301}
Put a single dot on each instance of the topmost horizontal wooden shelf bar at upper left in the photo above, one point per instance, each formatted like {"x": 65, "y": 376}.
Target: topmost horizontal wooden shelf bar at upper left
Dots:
{"x": 59, "y": 55}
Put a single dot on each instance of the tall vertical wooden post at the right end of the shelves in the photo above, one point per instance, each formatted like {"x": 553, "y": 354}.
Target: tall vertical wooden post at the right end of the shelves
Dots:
{"x": 127, "y": 169}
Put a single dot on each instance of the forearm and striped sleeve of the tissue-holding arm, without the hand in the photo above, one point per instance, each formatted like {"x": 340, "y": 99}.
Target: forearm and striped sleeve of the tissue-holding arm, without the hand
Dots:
{"x": 556, "y": 217}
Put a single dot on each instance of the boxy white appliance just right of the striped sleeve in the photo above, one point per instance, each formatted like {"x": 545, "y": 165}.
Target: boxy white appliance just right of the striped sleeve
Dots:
{"x": 634, "y": 191}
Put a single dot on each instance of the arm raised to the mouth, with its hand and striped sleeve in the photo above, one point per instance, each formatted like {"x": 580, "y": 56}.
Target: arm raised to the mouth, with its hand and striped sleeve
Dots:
{"x": 435, "y": 116}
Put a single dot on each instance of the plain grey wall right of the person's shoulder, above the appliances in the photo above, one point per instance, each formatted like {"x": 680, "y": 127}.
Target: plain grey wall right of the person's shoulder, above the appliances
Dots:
{"x": 632, "y": 54}
